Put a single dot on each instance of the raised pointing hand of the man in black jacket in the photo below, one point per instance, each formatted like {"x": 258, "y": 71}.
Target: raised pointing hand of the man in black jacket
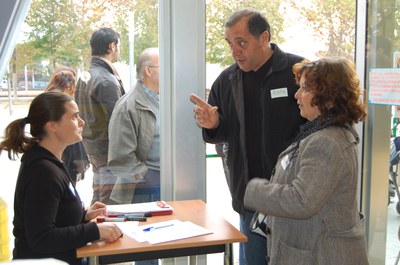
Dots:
{"x": 205, "y": 115}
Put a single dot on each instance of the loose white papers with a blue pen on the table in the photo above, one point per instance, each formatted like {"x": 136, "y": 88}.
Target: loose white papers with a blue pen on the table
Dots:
{"x": 163, "y": 231}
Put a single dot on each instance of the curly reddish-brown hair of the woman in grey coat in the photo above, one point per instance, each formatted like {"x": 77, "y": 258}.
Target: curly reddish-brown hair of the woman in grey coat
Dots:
{"x": 336, "y": 89}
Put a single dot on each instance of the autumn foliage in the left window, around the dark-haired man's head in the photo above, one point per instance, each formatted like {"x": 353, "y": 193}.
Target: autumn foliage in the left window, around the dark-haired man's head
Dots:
{"x": 60, "y": 30}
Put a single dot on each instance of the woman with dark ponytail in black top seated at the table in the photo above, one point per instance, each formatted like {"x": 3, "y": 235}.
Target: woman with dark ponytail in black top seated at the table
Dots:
{"x": 49, "y": 219}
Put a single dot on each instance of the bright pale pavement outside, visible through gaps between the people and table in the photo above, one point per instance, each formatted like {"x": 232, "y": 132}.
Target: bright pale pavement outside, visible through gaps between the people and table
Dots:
{"x": 217, "y": 192}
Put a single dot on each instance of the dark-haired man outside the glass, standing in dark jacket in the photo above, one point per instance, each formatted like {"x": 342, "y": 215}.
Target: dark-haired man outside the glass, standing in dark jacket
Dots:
{"x": 96, "y": 93}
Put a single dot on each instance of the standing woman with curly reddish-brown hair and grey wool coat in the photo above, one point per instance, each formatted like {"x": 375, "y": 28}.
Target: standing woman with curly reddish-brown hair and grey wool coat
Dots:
{"x": 311, "y": 199}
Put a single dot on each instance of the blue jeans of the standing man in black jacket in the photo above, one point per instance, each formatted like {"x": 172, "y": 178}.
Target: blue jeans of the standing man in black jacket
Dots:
{"x": 254, "y": 252}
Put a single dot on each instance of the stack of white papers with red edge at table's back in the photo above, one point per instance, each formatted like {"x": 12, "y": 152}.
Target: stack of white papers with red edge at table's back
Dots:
{"x": 155, "y": 208}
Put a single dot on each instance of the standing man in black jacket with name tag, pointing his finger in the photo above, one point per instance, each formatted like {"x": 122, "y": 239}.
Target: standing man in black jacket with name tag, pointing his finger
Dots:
{"x": 252, "y": 108}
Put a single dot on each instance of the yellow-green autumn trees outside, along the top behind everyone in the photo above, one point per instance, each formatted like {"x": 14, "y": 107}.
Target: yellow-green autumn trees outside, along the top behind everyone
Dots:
{"x": 59, "y": 30}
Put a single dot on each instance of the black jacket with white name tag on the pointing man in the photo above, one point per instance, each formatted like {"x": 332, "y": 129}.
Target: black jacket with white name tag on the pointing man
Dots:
{"x": 280, "y": 119}
